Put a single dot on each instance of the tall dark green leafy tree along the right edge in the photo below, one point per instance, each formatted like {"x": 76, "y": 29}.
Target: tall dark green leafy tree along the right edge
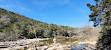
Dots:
{"x": 101, "y": 16}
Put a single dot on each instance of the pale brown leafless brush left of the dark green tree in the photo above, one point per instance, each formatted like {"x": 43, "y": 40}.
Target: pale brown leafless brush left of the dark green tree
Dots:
{"x": 88, "y": 33}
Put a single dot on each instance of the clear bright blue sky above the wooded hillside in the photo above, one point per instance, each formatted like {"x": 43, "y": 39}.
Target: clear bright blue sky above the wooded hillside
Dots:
{"x": 72, "y": 13}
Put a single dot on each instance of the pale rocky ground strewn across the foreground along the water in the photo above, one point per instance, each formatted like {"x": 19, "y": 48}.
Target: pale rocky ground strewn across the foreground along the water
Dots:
{"x": 35, "y": 44}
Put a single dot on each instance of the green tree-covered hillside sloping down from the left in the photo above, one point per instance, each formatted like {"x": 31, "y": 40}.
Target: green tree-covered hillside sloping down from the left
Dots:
{"x": 12, "y": 24}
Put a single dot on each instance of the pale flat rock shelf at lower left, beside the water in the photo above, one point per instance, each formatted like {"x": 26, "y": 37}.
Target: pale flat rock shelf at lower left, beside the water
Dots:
{"x": 21, "y": 44}
